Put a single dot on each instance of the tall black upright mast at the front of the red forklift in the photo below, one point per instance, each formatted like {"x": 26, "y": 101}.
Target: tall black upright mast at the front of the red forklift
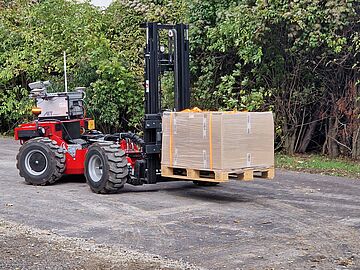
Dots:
{"x": 161, "y": 58}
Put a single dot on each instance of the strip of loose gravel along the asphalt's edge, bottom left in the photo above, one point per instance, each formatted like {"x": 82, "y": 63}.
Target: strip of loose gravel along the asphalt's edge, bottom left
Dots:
{"x": 22, "y": 247}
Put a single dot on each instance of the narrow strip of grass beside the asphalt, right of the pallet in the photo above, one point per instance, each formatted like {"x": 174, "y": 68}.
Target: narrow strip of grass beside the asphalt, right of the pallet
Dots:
{"x": 319, "y": 164}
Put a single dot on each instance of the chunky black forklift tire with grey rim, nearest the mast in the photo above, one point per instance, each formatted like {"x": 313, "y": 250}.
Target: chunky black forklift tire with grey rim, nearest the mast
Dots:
{"x": 106, "y": 169}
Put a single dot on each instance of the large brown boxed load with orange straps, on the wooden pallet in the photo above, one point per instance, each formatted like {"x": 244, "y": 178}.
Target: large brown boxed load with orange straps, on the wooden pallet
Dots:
{"x": 218, "y": 140}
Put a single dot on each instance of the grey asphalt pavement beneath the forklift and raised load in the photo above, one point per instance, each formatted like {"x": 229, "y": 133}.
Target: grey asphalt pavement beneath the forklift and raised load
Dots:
{"x": 296, "y": 221}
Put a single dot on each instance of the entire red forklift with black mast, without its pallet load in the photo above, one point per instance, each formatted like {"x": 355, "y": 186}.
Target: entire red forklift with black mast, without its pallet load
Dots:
{"x": 61, "y": 140}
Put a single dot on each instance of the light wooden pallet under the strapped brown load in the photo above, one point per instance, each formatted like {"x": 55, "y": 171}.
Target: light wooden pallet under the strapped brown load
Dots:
{"x": 245, "y": 174}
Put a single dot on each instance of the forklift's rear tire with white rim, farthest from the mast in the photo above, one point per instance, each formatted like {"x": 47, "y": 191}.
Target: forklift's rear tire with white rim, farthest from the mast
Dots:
{"x": 41, "y": 161}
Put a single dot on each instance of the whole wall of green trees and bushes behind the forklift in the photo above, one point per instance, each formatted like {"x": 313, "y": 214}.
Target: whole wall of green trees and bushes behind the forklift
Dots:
{"x": 299, "y": 59}
